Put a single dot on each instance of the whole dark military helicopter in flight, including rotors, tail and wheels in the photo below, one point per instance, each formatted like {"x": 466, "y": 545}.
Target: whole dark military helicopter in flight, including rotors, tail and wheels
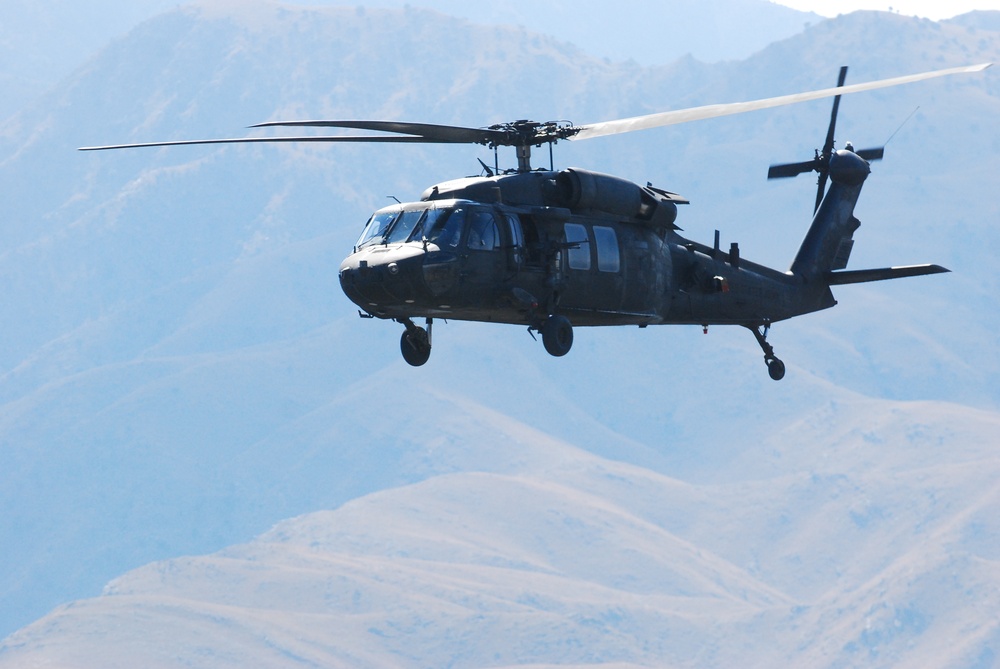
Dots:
{"x": 557, "y": 249}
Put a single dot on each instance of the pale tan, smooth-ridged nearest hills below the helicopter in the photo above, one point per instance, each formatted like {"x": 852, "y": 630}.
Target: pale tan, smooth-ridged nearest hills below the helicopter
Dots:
{"x": 567, "y": 559}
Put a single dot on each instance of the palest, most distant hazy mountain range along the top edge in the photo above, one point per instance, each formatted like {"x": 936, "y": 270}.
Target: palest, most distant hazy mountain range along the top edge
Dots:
{"x": 43, "y": 41}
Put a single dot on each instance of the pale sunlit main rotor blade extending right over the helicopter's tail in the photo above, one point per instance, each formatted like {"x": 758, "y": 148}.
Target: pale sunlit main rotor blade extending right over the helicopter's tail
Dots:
{"x": 660, "y": 119}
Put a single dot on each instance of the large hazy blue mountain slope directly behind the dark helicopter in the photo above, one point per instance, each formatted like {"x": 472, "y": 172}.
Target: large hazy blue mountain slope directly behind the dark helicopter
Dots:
{"x": 179, "y": 371}
